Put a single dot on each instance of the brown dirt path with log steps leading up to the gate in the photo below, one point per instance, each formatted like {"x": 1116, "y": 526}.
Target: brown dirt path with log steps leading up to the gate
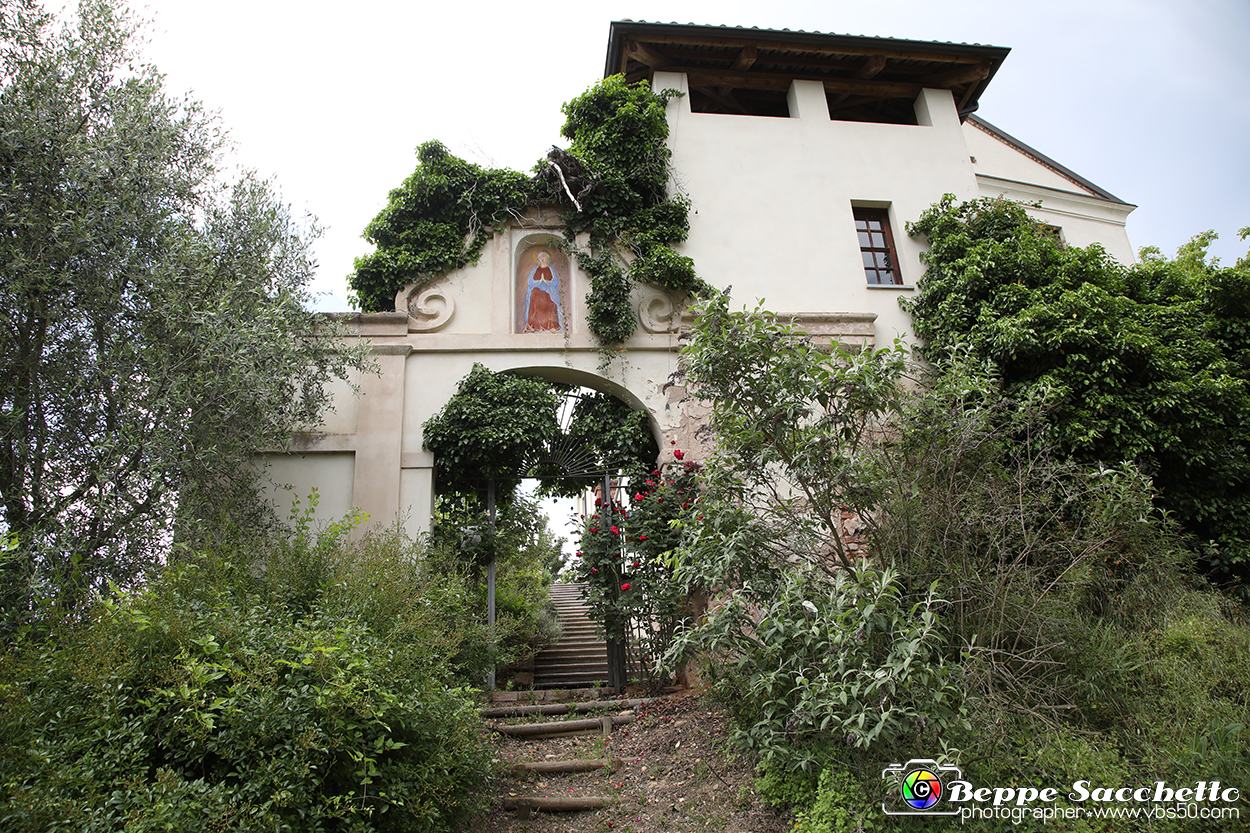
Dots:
{"x": 677, "y": 774}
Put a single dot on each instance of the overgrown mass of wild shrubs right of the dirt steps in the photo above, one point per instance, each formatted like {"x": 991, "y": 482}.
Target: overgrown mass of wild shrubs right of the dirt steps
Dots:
{"x": 1054, "y": 593}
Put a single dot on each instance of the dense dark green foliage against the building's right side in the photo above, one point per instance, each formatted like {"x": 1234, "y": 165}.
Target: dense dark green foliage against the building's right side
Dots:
{"x": 1147, "y": 365}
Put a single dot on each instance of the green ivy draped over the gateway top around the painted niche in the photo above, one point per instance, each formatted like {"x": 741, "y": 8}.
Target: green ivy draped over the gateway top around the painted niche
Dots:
{"x": 612, "y": 184}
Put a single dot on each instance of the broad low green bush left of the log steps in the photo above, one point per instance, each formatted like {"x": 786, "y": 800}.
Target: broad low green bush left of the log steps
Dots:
{"x": 303, "y": 687}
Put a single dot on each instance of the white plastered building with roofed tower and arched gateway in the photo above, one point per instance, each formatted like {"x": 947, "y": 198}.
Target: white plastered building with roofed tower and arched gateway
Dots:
{"x": 804, "y": 156}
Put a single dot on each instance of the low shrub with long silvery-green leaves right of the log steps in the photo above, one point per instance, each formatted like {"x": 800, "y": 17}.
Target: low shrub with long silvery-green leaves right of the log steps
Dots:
{"x": 814, "y": 662}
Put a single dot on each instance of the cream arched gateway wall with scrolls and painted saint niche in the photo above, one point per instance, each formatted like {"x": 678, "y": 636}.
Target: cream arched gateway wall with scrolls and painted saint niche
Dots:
{"x": 369, "y": 453}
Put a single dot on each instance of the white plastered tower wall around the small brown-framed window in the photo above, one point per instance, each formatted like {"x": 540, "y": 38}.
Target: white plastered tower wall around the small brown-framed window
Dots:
{"x": 773, "y": 198}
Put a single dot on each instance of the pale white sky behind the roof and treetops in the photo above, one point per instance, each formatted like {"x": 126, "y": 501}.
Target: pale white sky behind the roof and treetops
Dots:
{"x": 1149, "y": 99}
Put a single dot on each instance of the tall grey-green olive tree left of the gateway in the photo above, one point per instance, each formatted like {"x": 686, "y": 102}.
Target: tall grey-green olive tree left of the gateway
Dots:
{"x": 154, "y": 328}
